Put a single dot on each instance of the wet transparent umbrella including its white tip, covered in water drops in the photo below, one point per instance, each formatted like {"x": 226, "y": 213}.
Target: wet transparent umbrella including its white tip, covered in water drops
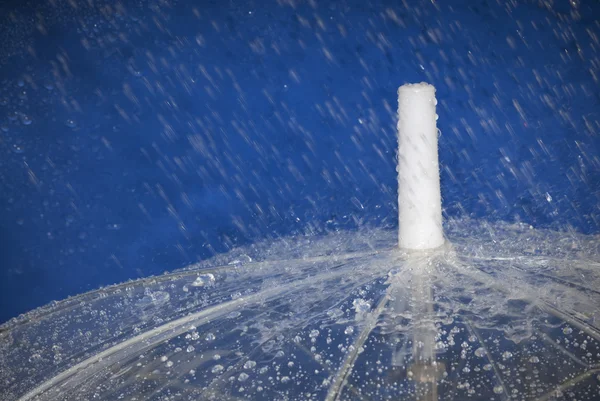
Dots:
{"x": 482, "y": 311}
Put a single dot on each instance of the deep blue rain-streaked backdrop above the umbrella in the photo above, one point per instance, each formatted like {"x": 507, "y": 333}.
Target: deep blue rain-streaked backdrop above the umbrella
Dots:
{"x": 139, "y": 137}
